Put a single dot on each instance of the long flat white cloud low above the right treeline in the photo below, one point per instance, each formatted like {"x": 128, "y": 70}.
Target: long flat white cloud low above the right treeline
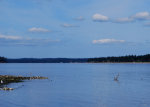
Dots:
{"x": 105, "y": 41}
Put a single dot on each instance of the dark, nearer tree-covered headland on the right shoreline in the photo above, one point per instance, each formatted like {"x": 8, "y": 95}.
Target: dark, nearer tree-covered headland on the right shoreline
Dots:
{"x": 129, "y": 58}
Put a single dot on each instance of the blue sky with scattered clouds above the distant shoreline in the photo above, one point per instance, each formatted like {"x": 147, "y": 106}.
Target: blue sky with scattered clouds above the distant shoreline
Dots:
{"x": 74, "y": 28}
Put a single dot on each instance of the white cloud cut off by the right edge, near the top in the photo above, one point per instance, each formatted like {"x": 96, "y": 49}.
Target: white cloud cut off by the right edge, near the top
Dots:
{"x": 142, "y": 16}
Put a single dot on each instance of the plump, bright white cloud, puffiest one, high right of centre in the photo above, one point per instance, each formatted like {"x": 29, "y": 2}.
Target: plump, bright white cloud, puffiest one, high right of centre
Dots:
{"x": 100, "y": 18}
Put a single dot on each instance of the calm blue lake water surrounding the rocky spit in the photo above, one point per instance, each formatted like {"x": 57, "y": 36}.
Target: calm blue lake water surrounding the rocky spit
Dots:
{"x": 78, "y": 85}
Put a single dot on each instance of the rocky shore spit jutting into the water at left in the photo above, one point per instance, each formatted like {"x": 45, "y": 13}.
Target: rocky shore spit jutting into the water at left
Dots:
{"x": 6, "y": 79}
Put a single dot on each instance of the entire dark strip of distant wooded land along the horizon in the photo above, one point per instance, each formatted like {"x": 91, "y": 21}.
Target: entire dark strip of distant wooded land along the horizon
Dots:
{"x": 112, "y": 59}
